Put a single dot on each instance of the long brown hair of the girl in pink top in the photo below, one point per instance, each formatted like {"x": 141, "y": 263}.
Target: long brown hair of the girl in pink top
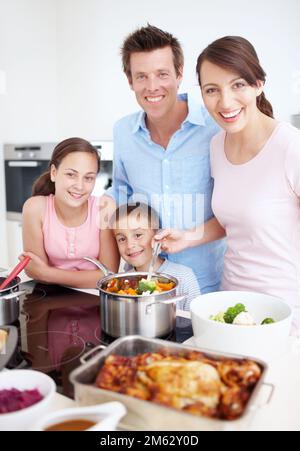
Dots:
{"x": 43, "y": 186}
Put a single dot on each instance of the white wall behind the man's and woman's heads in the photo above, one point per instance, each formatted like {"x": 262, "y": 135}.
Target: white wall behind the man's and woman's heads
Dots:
{"x": 93, "y": 91}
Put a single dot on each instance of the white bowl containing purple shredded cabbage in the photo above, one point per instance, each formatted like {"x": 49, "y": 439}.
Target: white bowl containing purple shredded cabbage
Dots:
{"x": 22, "y": 420}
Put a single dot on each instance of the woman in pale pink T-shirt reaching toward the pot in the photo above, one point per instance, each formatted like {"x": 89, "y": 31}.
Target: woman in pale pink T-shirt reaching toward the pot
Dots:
{"x": 255, "y": 163}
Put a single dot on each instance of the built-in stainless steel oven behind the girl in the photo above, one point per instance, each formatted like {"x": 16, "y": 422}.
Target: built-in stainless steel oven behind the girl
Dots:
{"x": 23, "y": 165}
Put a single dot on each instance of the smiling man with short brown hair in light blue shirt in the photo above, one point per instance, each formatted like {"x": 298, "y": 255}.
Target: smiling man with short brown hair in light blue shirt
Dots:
{"x": 161, "y": 155}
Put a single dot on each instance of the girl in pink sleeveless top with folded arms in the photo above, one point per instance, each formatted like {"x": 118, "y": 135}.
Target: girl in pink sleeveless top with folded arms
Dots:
{"x": 61, "y": 221}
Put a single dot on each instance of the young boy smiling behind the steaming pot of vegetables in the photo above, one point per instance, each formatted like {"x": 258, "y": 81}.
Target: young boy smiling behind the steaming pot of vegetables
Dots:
{"x": 134, "y": 227}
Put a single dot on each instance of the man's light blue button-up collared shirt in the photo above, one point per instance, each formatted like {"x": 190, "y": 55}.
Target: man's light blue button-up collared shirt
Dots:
{"x": 176, "y": 181}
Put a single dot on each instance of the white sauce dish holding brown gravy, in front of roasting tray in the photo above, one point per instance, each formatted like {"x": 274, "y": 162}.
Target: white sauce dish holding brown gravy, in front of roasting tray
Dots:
{"x": 106, "y": 416}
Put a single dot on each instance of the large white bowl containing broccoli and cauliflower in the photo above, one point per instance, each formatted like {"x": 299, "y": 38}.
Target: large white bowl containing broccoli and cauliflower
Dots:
{"x": 262, "y": 341}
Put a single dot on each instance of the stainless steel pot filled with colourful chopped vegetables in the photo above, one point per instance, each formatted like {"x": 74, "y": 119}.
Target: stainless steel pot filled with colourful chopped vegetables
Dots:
{"x": 150, "y": 316}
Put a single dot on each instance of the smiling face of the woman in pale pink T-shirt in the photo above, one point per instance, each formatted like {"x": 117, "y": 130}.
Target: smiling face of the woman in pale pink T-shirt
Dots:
{"x": 229, "y": 99}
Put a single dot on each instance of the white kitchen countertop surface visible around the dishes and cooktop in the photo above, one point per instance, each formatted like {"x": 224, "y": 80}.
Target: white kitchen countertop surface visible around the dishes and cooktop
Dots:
{"x": 281, "y": 413}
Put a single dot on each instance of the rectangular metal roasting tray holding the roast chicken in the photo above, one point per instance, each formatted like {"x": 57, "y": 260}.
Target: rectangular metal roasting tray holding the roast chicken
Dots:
{"x": 147, "y": 415}
